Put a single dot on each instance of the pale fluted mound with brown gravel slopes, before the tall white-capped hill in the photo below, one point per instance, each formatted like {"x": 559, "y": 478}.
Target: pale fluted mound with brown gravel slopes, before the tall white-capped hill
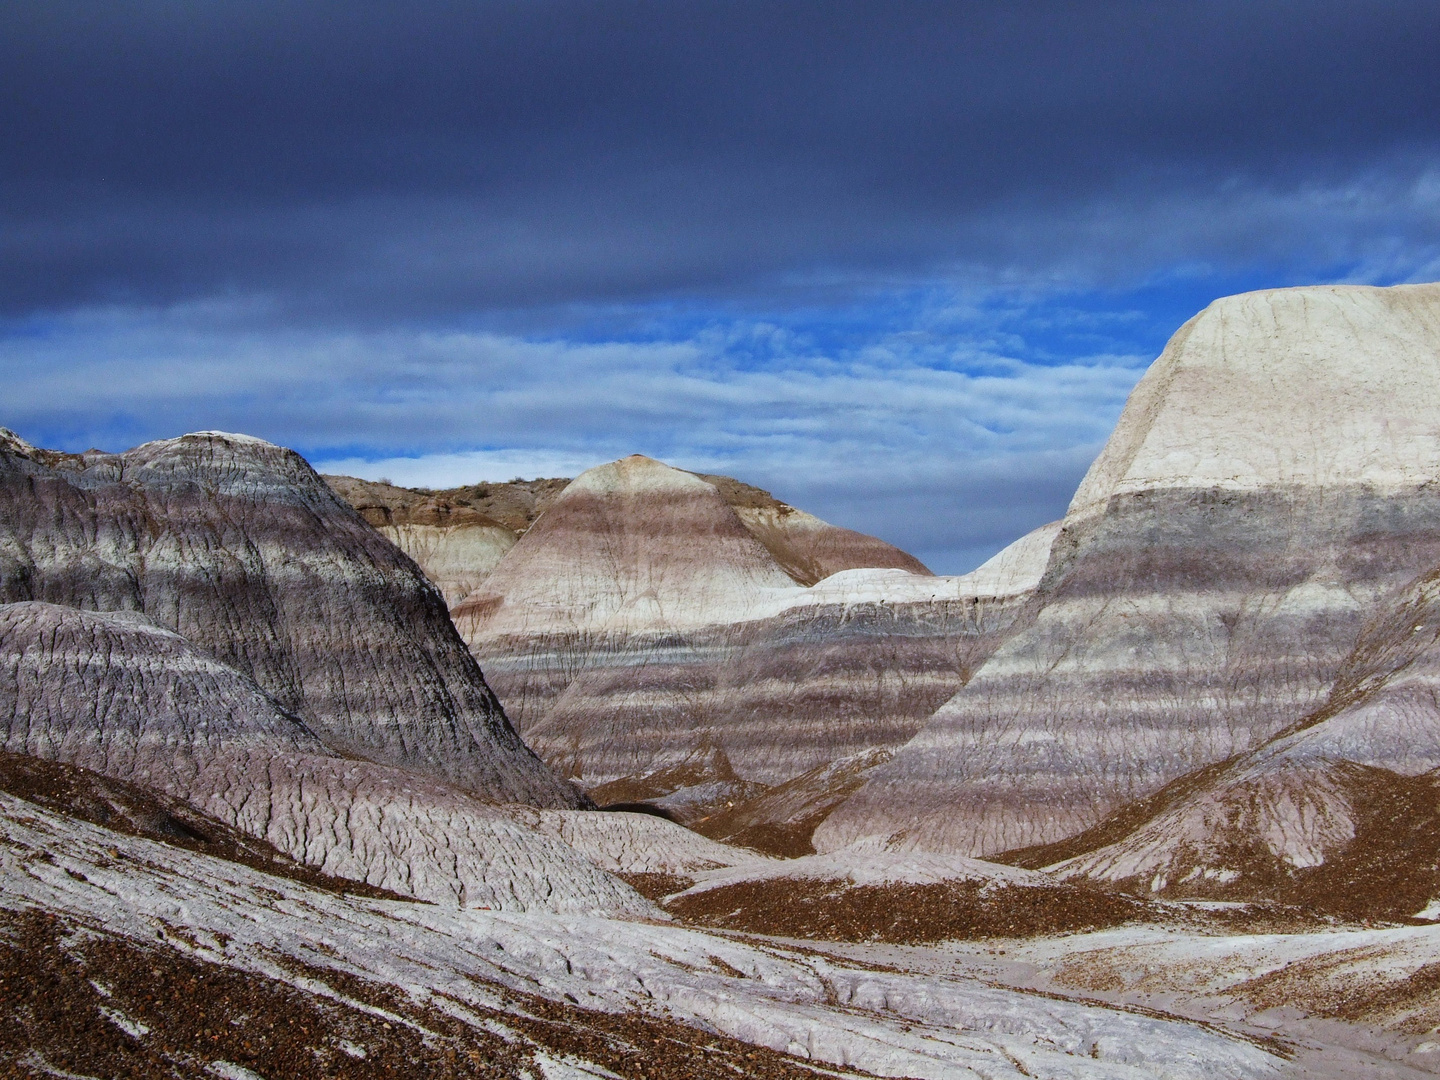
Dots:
{"x": 1343, "y": 811}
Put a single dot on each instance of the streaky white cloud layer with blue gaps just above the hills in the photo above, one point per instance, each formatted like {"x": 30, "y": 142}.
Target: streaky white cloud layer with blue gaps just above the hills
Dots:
{"x": 937, "y": 437}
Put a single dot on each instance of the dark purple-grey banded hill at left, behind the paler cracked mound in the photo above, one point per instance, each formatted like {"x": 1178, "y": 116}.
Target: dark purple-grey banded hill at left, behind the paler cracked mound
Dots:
{"x": 240, "y": 548}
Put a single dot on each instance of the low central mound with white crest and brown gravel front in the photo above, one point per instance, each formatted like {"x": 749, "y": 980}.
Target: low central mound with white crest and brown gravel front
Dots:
{"x": 869, "y": 894}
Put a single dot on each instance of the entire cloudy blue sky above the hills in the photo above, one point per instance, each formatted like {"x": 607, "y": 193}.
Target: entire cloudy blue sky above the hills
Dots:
{"x": 899, "y": 263}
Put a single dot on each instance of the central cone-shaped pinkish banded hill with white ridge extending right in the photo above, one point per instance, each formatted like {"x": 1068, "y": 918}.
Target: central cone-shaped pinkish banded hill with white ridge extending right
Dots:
{"x": 653, "y": 649}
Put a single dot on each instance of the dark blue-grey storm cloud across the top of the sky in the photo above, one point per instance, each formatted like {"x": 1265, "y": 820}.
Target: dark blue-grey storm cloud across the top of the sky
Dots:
{"x": 440, "y": 159}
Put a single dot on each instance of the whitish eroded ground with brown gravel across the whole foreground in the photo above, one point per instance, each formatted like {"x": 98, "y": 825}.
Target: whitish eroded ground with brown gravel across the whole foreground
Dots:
{"x": 125, "y": 957}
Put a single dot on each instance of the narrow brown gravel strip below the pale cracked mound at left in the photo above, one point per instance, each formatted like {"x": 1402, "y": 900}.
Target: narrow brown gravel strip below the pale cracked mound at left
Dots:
{"x": 136, "y": 811}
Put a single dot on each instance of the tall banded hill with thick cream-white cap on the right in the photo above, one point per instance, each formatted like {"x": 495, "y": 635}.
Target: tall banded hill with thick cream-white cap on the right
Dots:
{"x": 1271, "y": 483}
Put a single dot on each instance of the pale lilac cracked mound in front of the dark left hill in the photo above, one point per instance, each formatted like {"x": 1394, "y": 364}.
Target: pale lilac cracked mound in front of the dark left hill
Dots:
{"x": 125, "y": 698}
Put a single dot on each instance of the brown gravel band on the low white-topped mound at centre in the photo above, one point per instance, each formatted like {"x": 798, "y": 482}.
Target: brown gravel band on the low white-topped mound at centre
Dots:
{"x": 904, "y": 915}
